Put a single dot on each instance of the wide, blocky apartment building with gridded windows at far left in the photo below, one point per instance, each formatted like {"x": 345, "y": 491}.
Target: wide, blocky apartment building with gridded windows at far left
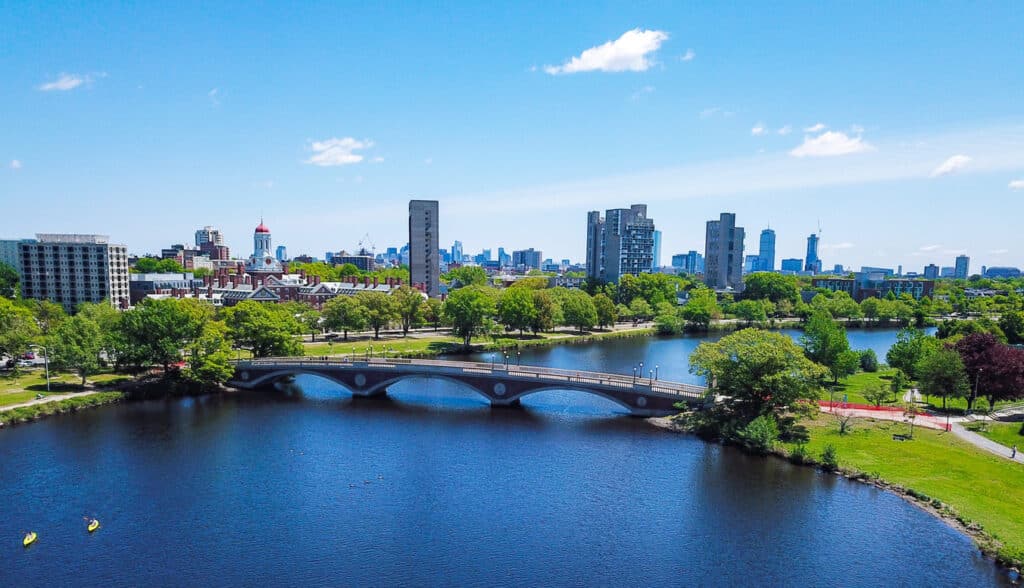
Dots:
{"x": 74, "y": 269}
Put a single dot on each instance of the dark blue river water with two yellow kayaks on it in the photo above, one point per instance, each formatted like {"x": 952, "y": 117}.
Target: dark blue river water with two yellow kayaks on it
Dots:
{"x": 433, "y": 488}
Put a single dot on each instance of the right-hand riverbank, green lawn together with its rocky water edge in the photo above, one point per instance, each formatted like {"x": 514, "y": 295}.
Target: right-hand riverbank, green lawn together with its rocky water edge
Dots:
{"x": 975, "y": 492}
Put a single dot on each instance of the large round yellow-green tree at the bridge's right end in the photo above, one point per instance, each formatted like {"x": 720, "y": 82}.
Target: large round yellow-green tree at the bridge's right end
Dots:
{"x": 757, "y": 372}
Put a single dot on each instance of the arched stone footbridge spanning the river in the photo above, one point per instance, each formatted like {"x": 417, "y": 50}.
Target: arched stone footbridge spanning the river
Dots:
{"x": 503, "y": 386}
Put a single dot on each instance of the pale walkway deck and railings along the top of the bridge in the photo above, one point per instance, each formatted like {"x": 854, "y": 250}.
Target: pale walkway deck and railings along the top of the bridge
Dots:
{"x": 553, "y": 376}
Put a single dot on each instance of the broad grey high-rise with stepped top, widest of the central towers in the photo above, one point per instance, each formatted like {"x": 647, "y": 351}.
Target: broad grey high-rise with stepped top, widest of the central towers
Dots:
{"x": 621, "y": 243}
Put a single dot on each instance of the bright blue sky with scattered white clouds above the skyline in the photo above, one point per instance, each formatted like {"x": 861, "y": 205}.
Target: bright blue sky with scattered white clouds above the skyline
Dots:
{"x": 898, "y": 127}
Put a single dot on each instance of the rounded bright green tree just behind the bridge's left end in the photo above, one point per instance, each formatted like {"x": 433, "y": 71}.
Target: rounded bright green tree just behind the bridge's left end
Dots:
{"x": 268, "y": 330}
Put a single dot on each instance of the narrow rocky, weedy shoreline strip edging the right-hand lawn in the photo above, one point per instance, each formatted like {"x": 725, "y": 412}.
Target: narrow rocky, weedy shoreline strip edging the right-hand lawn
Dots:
{"x": 987, "y": 544}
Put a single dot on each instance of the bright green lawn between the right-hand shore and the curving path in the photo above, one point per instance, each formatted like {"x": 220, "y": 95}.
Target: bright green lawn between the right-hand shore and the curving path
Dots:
{"x": 982, "y": 487}
